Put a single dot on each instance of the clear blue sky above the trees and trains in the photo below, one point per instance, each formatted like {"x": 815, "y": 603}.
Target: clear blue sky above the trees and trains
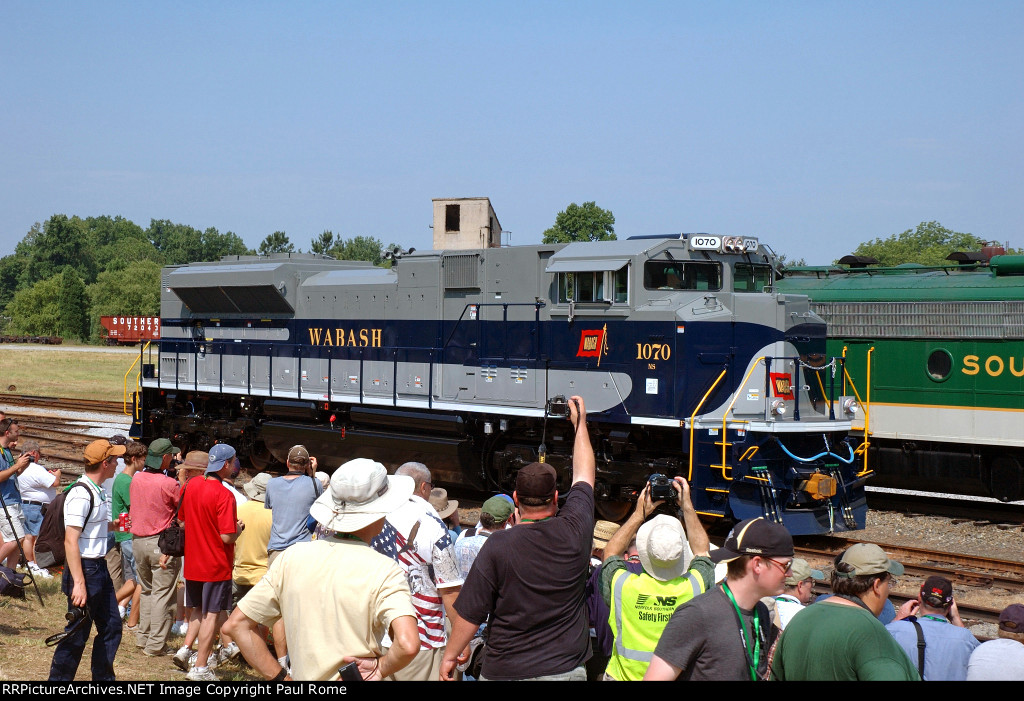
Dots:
{"x": 813, "y": 125}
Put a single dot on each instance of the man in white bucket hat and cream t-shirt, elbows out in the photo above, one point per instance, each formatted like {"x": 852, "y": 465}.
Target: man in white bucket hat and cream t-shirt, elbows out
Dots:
{"x": 336, "y": 596}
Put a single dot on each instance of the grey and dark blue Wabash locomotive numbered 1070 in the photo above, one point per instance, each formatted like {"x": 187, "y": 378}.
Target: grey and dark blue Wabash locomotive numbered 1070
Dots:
{"x": 691, "y": 362}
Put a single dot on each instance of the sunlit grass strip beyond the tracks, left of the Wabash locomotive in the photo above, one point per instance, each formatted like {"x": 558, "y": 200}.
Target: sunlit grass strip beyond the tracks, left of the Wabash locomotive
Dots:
{"x": 64, "y": 373}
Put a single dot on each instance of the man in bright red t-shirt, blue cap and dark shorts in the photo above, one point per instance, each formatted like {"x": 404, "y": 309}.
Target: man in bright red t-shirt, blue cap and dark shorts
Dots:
{"x": 211, "y": 528}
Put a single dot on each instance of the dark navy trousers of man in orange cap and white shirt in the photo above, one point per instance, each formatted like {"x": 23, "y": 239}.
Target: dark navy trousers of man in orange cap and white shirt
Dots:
{"x": 103, "y": 609}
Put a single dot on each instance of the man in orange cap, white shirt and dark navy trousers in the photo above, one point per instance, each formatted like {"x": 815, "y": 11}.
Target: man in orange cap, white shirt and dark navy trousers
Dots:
{"x": 87, "y": 581}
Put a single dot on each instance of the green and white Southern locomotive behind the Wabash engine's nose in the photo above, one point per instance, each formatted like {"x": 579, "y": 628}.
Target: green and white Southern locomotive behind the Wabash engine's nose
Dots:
{"x": 940, "y": 353}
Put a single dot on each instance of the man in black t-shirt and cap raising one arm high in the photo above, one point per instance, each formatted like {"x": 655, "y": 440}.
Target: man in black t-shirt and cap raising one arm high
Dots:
{"x": 532, "y": 580}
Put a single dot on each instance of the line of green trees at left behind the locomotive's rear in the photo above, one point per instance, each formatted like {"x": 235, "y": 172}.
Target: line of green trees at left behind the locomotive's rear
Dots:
{"x": 69, "y": 272}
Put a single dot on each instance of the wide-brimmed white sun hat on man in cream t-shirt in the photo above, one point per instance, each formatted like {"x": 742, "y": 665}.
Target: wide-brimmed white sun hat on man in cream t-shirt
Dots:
{"x": 361, "y": 493}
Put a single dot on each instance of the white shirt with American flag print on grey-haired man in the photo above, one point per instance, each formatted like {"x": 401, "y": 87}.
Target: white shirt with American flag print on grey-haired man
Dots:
{"x": 429, "y": 562}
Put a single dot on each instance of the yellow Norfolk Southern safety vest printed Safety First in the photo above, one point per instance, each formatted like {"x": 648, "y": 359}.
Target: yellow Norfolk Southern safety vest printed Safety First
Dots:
{"x": 642, "y": 607}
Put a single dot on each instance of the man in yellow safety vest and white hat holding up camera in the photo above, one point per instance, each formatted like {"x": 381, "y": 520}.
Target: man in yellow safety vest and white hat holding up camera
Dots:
{"x": 674, "y": 573}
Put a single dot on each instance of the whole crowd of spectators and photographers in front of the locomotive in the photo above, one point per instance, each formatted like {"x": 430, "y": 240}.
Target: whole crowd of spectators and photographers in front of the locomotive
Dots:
{"x": 365, "y": 575}
